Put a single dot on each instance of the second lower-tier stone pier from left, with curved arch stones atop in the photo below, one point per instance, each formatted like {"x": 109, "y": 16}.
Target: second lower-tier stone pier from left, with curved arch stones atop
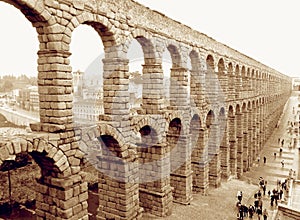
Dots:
{"x": 117, "y": 167}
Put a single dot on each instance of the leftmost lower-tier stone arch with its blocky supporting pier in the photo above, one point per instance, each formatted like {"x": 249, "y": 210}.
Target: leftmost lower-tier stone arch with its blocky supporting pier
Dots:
{"x": 58, "y": 181}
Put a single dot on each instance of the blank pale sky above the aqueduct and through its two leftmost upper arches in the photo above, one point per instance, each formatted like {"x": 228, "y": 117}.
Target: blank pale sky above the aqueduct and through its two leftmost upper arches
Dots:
{"x": 266, "y": 30}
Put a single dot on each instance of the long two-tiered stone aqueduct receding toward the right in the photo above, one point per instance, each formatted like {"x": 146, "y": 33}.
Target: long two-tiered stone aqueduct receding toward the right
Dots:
{"x": 189, "y": 145}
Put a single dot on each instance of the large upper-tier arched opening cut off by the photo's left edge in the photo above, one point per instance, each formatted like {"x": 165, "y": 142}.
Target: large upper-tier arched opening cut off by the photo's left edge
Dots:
{"x": 18, "y": 73}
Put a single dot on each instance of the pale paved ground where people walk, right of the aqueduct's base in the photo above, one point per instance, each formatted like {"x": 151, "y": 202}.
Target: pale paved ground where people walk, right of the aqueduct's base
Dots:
{"x": 220, "y": 203}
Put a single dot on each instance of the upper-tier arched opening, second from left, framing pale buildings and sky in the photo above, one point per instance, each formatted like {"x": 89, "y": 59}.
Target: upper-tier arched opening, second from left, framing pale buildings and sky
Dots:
{"x": 86, "y": 61}
